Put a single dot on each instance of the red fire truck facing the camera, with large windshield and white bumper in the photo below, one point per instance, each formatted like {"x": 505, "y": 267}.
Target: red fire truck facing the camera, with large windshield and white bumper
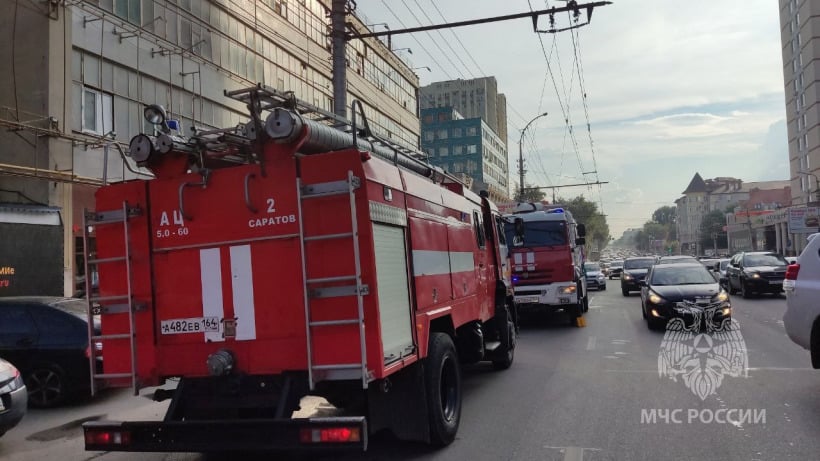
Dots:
{"x": 547, "y": 259}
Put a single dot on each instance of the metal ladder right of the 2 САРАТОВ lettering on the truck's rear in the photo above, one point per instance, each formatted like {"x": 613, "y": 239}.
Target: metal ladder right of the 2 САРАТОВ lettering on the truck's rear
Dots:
{"x": 336, "y": 371}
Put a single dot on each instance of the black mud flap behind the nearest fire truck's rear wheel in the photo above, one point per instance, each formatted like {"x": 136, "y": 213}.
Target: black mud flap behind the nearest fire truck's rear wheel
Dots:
{"x": 399, "y": 404}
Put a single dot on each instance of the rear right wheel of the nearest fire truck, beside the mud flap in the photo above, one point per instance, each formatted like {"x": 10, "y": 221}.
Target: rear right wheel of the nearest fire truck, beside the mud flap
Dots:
{"x": 442, "y": 379}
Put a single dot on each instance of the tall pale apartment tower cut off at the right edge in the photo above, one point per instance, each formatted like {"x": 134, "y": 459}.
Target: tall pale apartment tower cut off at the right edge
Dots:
{"x": 801, "y": 49}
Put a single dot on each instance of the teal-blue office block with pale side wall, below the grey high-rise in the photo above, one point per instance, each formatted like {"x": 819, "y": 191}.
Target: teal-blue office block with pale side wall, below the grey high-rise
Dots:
{"x": 466, "y": 146}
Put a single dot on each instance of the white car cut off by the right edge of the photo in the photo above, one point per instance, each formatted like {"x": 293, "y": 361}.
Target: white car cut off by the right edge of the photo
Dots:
{"x": 802, "y": 287}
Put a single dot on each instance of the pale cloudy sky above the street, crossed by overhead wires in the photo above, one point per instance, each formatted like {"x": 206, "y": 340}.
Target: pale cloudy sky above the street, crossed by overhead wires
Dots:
{"x": 672, "y": 89}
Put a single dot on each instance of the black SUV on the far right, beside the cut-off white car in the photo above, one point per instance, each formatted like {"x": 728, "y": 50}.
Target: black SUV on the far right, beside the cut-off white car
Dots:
{"x": 751, "y": 272}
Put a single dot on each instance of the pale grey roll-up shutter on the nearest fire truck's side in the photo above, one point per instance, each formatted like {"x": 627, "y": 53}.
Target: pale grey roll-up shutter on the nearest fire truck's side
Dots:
{"x": 393, "y": 291}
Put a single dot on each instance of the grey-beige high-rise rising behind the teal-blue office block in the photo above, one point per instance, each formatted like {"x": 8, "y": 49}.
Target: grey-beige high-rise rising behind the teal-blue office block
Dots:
{"x": 478, "y": 97}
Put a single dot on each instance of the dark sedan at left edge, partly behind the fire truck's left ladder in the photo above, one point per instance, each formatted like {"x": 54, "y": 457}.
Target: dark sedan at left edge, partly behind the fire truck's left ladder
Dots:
{"x": 47, "y": 340}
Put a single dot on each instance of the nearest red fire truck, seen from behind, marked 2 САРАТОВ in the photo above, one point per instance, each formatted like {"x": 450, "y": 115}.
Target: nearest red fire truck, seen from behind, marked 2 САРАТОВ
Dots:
{"x": 284, "y": 258}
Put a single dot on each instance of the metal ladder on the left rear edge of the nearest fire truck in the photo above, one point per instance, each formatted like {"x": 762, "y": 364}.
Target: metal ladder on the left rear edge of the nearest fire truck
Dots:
{"x": 120, "y": 303}
